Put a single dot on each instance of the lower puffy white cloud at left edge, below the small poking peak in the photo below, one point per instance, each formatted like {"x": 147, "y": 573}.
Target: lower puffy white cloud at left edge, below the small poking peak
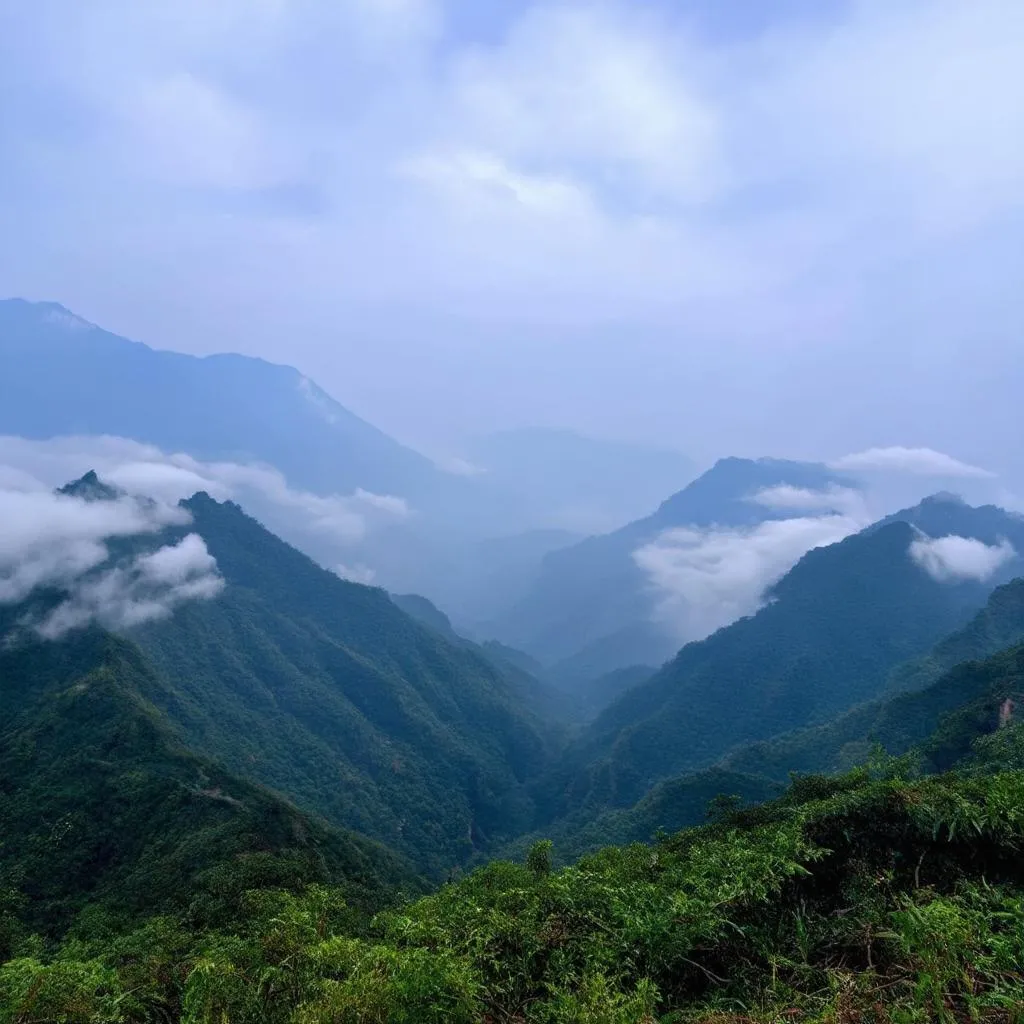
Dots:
{"x": 61, "y": 543}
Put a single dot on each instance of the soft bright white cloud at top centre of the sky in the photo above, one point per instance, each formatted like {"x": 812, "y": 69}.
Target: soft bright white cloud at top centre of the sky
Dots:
{"x": 584, "y": 88}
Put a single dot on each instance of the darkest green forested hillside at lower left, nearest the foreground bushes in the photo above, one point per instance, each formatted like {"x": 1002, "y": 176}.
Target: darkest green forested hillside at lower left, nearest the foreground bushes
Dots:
{"x": 103, "y": 807}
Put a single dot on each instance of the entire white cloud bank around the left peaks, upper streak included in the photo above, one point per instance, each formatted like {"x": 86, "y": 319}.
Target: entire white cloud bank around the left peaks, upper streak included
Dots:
{"x": 57, "y": 541}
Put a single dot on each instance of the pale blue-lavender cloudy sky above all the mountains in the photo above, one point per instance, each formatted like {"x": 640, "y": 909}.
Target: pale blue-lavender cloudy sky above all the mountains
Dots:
{"x": 790, "y": 229}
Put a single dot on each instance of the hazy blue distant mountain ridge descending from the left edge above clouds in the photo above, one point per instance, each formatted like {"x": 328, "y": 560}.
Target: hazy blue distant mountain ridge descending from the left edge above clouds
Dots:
{"x": 61, "y": 375}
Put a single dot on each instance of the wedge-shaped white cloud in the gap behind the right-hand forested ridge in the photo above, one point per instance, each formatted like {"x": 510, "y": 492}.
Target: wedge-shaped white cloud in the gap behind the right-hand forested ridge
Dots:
{"x": 708, "y": 579}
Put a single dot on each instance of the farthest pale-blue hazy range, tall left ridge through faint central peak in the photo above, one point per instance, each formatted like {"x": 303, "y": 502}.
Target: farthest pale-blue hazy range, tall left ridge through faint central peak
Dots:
{"x": 474, "y": 542}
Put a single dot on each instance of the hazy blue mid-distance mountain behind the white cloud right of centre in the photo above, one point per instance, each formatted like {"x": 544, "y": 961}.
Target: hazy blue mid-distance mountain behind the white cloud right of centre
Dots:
{"x": 592, "y": 609}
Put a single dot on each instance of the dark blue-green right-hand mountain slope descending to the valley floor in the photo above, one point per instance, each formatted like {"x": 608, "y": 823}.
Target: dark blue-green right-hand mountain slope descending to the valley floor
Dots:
{"x": 833, "y": 632}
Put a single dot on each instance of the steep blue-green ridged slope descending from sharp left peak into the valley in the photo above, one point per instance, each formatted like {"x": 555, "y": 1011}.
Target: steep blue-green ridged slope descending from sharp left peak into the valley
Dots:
{"x": 327, "y": 692}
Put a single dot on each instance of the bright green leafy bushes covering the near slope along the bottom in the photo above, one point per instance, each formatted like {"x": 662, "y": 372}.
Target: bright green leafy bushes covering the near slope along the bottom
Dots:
{"x": 869, "y": 897}
